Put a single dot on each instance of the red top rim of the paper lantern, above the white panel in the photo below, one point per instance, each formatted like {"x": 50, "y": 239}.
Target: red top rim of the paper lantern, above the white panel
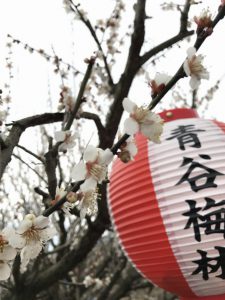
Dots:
{"x": 178, "y": 113}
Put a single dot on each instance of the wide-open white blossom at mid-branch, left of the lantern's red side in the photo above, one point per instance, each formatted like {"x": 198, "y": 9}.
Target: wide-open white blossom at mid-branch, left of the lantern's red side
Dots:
{"x": 94, "y": 168}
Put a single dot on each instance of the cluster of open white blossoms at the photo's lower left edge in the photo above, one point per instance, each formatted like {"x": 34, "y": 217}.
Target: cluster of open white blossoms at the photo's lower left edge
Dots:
{"x": 28, "y": 239}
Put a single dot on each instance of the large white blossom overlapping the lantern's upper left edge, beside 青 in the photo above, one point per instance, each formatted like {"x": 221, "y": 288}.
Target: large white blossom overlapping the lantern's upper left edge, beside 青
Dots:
{"x": 142, "y": 120}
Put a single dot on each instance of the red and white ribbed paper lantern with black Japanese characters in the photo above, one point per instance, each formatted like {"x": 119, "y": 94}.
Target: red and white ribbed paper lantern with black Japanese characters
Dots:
{"x": 168, "y": 206}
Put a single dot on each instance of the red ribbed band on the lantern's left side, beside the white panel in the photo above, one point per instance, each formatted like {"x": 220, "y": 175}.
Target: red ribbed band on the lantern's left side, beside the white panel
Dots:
{"x": 154, "y": 262}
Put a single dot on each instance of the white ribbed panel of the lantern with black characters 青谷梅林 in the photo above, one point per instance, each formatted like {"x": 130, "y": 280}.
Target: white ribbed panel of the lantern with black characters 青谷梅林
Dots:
{"x": 188, "y": 173}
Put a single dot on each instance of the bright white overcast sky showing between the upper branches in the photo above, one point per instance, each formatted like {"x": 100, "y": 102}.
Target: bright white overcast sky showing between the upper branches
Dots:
{"x": 44, "y": 24}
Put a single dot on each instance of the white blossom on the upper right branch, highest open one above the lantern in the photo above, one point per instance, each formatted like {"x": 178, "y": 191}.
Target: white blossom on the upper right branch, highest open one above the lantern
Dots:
{"x": 193, "y": 67}
